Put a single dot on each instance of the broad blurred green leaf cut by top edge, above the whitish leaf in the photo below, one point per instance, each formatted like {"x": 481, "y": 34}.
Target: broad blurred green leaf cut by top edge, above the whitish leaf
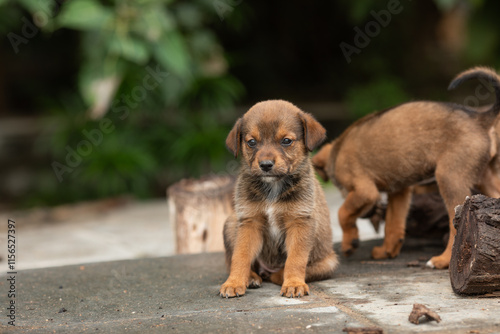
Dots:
{"x": 84, "y": 15}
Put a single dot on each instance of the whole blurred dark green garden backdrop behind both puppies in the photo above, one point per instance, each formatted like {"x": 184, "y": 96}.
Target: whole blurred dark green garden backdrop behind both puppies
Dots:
{"x": 167, "y": 77}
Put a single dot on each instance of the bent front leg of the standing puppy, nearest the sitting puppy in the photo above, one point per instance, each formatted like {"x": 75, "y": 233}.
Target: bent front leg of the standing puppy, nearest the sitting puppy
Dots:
{"x": 358, "y": 201}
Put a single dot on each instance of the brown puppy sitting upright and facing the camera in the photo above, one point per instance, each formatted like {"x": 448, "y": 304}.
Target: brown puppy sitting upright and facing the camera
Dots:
{"x": 281, "y": 226}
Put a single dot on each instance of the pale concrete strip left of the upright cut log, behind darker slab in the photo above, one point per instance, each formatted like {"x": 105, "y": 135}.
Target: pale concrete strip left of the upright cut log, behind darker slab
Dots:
{"x": 135, "y": 230}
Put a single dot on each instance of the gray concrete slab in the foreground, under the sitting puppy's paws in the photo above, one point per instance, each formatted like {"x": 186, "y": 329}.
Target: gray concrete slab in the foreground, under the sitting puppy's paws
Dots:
{"x": 179, "y": 295}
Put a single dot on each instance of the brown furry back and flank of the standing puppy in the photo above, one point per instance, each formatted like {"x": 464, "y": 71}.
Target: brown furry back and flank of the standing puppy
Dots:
{"x": 405, "y": 142}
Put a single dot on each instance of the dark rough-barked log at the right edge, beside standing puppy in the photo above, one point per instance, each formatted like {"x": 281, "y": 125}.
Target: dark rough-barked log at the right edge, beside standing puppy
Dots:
{"x": 475, "y": 260}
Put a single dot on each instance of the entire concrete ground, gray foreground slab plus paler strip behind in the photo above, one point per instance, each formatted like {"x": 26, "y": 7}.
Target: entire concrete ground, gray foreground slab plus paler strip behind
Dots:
{"x": 143, "y": 290}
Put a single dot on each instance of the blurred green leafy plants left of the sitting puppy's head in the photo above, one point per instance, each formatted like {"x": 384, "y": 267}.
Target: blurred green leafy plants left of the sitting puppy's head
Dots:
{"x": 160, "y": 133}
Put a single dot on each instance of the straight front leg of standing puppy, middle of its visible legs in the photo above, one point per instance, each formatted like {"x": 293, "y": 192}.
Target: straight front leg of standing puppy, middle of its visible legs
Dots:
{"x": 395, "y": 223}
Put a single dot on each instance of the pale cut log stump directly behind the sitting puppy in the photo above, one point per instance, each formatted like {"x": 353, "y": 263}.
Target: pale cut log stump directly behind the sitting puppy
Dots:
{"x": 198, "y": 210}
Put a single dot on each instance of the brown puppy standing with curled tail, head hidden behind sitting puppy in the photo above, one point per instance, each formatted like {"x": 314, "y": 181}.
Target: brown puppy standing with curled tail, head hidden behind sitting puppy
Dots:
{"x": 392, "y": 150}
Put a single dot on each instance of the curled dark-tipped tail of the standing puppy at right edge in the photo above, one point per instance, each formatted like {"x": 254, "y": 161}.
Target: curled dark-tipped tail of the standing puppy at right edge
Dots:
{"x": 486, "y": 76}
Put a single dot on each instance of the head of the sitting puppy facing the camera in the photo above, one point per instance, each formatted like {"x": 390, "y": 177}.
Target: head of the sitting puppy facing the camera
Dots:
{"x": 274, "y": 138}
